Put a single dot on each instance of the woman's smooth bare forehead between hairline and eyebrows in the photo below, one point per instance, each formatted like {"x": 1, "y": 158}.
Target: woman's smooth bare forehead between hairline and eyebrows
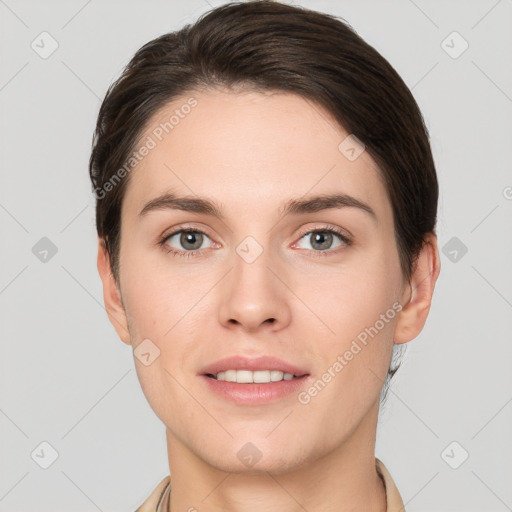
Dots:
{"x": 250, "y": 149}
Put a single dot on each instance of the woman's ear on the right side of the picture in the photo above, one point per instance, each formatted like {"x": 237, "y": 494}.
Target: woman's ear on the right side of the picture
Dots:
{"x": 417, "y": 297}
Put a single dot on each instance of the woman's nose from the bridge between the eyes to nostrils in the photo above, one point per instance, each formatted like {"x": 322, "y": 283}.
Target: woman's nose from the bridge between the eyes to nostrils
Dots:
{"x": 253, "y": 294}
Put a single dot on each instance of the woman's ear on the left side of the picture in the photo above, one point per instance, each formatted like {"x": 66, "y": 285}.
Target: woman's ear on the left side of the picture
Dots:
{"x": 111, "y": 294}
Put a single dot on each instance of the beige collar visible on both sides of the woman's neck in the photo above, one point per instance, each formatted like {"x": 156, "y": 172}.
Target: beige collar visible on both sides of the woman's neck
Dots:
{"x": 161, "y": 494}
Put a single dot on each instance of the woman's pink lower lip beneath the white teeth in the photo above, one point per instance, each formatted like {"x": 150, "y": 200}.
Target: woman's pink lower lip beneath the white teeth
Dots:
{"x": 255, "y": 394}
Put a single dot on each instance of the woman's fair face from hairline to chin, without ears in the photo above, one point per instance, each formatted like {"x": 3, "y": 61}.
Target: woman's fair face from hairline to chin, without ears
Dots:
{"x": 256, "y": 281}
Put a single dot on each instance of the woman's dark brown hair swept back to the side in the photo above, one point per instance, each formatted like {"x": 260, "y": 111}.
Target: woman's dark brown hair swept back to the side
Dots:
{"x": 268, "y": 46}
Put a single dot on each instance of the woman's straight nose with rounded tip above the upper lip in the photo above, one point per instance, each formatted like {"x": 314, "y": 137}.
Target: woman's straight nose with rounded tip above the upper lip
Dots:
{"x": 252, "y": 297}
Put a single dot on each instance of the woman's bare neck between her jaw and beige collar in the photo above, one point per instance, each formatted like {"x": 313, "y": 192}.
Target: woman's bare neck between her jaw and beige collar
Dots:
{"x": 343, "y": 480}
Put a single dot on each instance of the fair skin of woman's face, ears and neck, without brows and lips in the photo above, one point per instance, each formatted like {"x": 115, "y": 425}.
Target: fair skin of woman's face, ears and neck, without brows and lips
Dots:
{"x": 252, "y": 152}
